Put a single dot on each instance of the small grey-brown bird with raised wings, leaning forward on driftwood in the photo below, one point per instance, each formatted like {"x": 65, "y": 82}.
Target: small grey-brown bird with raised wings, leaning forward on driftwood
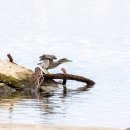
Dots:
{"x": 49, "y": 63}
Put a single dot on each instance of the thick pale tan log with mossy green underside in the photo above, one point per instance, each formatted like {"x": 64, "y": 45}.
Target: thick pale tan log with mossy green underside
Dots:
{"x": 14, "y": 75}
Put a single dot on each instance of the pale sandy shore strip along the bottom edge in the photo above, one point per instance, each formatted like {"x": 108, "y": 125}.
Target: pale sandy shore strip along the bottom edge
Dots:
{"x": 49, "y": 127}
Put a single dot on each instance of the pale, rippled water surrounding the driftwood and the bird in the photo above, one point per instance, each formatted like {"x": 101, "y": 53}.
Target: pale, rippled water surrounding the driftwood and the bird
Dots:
{"x": 95, "y": 35}
